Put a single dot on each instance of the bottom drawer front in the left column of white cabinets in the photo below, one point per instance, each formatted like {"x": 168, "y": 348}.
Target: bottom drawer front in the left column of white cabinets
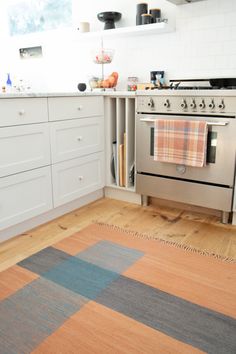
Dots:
{"x": 24, "y": 195}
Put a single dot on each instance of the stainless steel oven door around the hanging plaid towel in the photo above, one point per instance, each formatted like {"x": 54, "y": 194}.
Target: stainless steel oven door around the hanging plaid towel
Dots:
{"x": 220, "y": 151}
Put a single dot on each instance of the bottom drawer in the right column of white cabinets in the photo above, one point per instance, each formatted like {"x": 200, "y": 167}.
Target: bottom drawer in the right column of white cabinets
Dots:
{"x": 78, "y": 177}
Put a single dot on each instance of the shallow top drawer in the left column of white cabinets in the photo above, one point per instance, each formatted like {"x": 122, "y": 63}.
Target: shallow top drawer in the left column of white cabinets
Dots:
{"x": 16, "y": 111}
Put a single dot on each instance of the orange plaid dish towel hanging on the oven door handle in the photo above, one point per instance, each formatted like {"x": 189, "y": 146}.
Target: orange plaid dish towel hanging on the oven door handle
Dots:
{"x": 181, "y": 142}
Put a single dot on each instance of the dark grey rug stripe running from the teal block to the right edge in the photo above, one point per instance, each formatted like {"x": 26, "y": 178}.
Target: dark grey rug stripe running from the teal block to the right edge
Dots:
{"x": 198, "y": 326}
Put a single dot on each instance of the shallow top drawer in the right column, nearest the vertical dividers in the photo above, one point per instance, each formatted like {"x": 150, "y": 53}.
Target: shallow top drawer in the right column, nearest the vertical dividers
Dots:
{"x": 61, "y": 108}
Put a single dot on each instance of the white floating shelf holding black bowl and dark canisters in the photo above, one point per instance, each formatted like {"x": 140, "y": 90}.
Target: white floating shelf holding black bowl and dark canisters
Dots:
{"x": 153, "y": 28}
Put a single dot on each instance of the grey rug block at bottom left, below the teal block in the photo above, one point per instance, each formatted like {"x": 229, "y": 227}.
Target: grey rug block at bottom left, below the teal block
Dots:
{"x": 33, "y": 313}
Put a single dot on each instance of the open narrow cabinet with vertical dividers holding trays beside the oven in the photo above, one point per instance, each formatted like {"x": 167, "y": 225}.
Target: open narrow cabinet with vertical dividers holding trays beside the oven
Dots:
{"x": 120, "y": 141}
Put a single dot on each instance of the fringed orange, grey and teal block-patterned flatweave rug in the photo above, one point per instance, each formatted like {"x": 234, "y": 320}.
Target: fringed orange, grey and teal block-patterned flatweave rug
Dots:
{"x": 103, "y": 290}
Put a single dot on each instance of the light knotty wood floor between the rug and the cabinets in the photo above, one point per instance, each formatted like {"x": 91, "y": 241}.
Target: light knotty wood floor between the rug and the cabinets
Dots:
{"x": 203, "y": 232}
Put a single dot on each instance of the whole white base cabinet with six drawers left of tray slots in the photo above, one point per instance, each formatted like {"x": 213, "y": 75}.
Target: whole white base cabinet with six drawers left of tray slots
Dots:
{"x": 51, "y": 158}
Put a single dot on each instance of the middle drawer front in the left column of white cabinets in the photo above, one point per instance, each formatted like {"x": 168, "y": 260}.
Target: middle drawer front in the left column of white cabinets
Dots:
{"x": 23, "y": 148}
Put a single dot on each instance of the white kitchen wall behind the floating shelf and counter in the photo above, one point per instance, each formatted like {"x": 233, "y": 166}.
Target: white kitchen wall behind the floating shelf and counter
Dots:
{"x": 203, "y": 45}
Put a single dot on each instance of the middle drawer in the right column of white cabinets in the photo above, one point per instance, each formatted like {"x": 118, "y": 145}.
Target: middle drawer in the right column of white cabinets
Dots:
{"x": 75, "y": 138}
